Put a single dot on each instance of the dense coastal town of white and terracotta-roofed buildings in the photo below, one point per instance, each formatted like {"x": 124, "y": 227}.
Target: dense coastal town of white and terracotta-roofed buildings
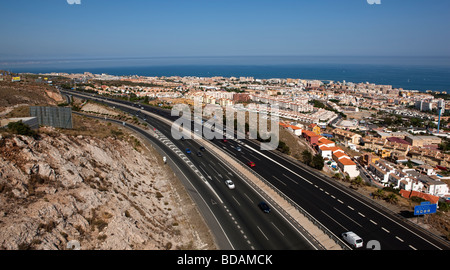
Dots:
{"x": 382, "y": 149}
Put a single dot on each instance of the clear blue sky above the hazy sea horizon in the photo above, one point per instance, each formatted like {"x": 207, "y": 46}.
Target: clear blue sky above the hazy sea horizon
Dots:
{"x": 172, "y": 28}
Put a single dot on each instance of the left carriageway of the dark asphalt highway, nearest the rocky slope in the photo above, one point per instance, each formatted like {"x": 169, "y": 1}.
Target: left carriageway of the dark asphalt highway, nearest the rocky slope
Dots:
{"x": 233, "y": 215}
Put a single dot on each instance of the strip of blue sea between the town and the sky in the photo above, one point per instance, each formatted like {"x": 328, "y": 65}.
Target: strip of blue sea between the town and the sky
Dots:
{"x": 409, "y": 73}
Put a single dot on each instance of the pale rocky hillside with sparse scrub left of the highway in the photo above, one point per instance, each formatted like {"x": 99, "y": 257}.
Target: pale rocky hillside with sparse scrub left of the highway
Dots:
{"x": 105, "y": 193}
